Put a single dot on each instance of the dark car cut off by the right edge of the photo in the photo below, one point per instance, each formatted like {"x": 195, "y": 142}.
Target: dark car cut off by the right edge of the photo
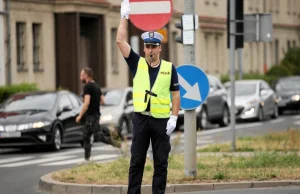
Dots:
{"x": 288, "y": 92}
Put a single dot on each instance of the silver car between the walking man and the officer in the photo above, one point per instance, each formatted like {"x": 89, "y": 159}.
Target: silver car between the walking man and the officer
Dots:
{"x": 117, "y": 112}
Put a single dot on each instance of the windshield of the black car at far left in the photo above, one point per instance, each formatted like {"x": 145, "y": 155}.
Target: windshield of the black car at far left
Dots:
{"x": 34, "y": 102}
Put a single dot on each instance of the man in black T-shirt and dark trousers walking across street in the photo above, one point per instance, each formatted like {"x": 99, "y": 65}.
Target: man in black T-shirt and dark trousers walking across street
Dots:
{"x": 90, "y": 112}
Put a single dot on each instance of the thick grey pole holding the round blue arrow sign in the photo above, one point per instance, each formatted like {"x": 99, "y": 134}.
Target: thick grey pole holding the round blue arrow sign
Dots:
{"x": 190, "y": 135}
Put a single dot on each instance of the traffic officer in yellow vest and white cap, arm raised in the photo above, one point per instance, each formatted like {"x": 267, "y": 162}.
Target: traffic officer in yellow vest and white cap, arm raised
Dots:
{"x": 154, "y": 82}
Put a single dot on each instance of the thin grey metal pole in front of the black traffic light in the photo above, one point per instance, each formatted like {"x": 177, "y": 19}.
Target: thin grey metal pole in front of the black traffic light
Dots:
{"x": 232, "y": 70}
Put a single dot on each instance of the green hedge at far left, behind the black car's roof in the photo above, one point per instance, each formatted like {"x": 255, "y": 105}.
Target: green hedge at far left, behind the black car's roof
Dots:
{"x": 6, "y": 91}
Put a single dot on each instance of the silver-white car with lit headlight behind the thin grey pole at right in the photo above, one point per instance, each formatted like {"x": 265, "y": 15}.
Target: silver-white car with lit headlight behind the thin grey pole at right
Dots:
{"x": 254, "y": 99}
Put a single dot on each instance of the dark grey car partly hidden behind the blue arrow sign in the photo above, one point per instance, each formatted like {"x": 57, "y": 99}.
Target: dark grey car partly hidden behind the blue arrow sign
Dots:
{"x": 214, "y": 109}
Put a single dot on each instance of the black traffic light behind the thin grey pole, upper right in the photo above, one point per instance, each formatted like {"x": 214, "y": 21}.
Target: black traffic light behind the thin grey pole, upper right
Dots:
{"x": 239, "y": 15}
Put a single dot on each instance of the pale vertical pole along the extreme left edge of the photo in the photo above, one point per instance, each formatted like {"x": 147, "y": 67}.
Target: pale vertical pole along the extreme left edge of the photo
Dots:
{"x": 2, "y": 61}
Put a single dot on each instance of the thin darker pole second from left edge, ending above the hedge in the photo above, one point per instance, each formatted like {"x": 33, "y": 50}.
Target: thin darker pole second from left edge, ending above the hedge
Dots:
{"x": 8, "y": 65}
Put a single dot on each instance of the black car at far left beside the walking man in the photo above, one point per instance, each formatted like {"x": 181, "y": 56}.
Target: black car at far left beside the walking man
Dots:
{"x": 40, "y": 119}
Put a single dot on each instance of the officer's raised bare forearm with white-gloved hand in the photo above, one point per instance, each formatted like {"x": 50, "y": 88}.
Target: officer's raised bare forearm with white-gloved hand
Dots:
{"x": 122, "y": 33}
